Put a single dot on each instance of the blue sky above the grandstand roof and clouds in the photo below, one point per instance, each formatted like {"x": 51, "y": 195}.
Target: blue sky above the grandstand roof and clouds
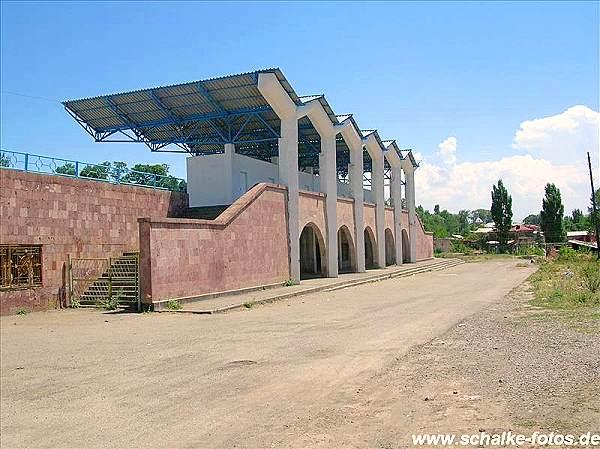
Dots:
{"x": 418, "y": 72}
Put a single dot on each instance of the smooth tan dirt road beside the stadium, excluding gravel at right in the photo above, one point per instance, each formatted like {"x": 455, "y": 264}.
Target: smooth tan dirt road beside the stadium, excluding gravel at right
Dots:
{"x": 289, "y": 374}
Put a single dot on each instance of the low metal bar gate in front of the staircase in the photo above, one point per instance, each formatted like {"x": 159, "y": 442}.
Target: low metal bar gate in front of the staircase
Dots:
{"x": 104, "y": 282}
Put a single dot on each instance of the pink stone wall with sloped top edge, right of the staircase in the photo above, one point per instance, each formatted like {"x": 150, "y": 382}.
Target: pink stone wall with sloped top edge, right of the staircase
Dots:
{"x": 247, "y": 245}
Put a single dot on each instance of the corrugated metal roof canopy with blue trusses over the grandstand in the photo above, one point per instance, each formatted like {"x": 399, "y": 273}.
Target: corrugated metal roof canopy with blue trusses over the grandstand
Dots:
{"x": 200, "y": 117}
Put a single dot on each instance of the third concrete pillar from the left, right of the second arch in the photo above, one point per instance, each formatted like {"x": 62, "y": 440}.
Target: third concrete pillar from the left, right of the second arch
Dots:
{"x": 356, "y": 184}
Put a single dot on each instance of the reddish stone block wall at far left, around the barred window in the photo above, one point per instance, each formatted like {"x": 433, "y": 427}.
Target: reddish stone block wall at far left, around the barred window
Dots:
{"x": 65, "y": 215}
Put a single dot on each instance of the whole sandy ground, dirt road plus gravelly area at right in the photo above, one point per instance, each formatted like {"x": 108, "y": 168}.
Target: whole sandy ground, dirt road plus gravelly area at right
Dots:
{"x": 350, "y": 368}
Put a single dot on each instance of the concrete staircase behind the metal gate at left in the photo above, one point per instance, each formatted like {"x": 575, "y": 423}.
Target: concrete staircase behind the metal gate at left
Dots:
{"x": 120, "y": 279}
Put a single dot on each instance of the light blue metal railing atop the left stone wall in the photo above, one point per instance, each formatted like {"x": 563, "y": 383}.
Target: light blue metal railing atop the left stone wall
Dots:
{"x": 115, "y": 173}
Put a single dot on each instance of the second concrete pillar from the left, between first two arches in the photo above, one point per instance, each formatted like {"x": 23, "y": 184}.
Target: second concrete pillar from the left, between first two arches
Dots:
{"x": 328, "y": 184}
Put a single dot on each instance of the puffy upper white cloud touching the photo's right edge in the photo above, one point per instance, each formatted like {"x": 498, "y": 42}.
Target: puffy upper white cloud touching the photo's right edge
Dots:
{"x": 564, "y": 137}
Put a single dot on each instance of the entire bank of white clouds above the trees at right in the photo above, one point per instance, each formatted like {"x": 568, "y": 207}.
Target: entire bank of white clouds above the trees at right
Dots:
{"x": 467, "y": 185}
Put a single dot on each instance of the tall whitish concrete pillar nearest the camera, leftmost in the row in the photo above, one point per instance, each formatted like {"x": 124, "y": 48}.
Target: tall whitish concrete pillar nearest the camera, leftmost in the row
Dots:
{"x": 288, "y": 175}
